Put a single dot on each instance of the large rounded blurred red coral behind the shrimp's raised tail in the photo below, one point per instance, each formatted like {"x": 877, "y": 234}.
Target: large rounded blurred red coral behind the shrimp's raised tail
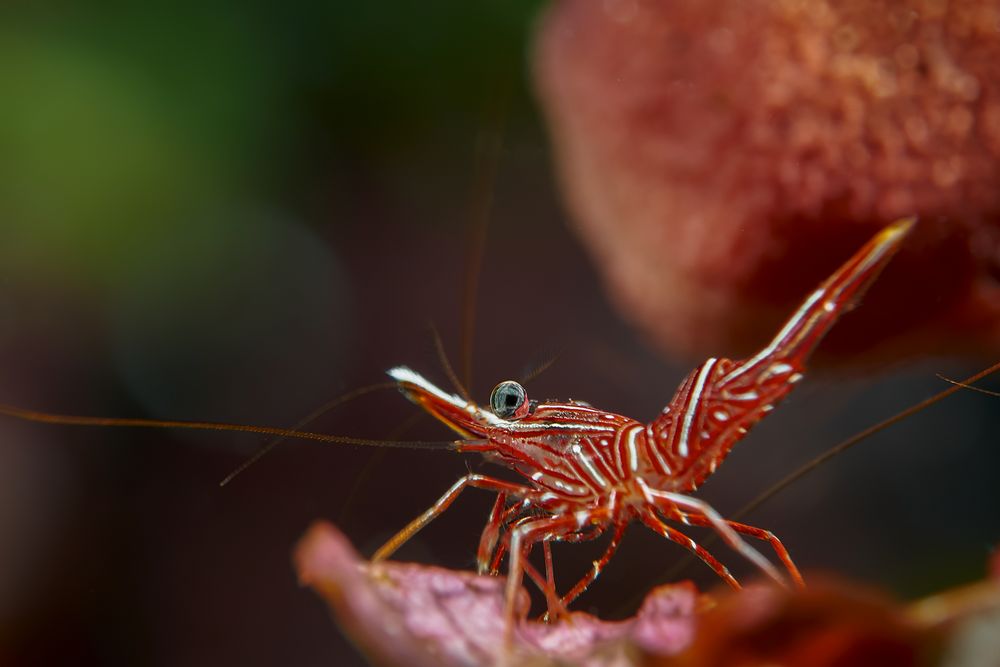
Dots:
{"x": 719, "y": 158}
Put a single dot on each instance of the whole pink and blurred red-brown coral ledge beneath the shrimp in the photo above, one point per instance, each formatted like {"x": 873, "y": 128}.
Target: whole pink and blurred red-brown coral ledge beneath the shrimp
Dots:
{"x": 414, "y": 615}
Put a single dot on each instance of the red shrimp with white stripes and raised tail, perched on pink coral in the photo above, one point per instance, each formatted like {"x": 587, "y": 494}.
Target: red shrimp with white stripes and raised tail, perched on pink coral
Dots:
{"x": 589, "y": 471}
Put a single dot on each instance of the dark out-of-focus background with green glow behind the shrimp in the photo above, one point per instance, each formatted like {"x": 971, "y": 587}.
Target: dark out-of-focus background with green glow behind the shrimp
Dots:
{"x": 225, "y": 211}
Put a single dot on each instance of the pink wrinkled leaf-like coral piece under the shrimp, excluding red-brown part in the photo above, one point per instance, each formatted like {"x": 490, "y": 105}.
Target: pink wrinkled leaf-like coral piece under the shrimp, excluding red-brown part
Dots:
{"x": 415, "y": 615}
